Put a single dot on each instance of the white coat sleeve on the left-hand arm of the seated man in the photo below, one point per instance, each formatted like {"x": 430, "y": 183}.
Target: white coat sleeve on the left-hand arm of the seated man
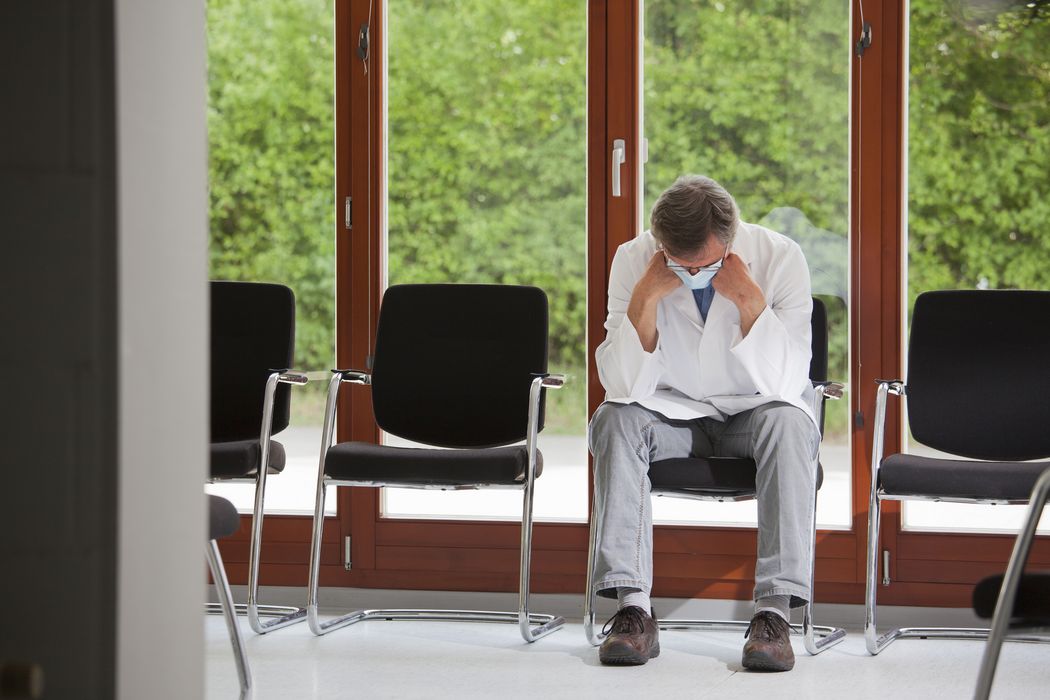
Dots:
{"x": 626, "y": 370}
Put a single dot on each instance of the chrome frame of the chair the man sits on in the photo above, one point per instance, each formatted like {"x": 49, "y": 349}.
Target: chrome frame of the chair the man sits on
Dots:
{"x": 816, "y": 639}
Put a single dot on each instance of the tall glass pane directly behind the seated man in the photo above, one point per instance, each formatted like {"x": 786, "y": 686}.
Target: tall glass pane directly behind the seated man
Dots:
{"x": 758, "y": 97}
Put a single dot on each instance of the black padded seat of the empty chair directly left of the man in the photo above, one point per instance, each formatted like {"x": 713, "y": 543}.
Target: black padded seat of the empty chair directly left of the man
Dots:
{"x": 418, "y": 466}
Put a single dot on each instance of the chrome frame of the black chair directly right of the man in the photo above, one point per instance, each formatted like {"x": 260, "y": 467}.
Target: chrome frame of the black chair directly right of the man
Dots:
{"x": 873, "y": 641}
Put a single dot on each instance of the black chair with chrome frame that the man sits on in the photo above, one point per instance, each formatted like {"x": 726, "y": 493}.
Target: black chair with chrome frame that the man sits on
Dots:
{"x": 732, "y": 480}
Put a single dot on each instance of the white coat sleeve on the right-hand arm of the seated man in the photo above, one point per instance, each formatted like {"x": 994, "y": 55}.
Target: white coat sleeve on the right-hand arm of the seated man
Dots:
{"x": 776, "y": 352}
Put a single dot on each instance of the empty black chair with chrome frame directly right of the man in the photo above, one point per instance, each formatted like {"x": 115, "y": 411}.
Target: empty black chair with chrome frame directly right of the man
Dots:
{"x": 978, "y": 386}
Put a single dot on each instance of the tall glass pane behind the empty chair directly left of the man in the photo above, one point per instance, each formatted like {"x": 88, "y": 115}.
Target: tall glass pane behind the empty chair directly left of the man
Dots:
{"x": 487, "y": 183}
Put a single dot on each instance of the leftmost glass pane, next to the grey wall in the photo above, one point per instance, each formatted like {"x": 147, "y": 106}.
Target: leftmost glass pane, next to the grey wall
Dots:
{"x": 271, "y": 175}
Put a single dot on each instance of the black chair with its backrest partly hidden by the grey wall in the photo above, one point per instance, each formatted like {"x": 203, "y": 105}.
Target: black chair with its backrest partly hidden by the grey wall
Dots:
{"x": 253, "y": 346}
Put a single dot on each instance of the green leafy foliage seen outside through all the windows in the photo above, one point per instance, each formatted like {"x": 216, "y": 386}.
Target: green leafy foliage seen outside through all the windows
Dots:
{"x": 488, "y": 138}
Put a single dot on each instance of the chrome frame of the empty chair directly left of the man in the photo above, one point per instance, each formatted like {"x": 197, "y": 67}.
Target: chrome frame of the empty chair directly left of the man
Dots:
{"x": 544, "y": 625}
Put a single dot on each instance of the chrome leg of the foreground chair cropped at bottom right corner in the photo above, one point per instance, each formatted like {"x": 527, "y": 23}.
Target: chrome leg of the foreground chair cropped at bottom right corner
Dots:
{"x": 1009, "y": 593}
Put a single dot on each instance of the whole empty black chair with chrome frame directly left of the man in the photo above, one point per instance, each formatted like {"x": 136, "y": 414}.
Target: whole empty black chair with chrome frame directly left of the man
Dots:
{"x": 456, "y": 367}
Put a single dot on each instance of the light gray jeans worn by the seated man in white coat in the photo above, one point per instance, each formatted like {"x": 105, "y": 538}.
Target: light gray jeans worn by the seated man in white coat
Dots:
{"x": 782, "y": 439}
